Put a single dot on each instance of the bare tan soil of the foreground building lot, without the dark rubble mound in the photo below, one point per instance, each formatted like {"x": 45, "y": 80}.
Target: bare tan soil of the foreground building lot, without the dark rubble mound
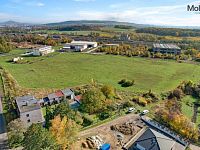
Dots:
{"x": 110, "y": 136}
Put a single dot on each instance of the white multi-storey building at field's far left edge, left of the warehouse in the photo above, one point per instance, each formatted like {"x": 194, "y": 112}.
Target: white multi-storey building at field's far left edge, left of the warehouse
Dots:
{"x": 41, "y": 51}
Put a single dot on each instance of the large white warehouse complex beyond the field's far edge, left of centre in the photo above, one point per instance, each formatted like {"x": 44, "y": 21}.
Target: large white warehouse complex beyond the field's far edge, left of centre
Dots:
{"x": 79, "y": 46}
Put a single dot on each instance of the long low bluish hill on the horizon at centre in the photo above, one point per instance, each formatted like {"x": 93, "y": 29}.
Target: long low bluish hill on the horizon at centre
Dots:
{"x": 95, "y": 22}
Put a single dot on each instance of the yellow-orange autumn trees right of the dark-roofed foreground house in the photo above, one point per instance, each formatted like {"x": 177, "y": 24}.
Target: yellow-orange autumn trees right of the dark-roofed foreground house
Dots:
{"x": 171, "y": 115}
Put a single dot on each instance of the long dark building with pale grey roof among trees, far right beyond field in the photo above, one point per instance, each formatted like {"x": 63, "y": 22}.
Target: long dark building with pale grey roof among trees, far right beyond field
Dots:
{"x": 166, "y": 49}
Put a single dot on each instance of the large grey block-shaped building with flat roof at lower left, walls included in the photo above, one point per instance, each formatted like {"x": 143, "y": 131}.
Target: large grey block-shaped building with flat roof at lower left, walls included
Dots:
{"x": 29, "y": 110}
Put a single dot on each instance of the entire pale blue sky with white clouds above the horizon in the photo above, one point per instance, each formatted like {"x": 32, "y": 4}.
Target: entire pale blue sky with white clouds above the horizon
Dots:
{"x": 157, "y": 12}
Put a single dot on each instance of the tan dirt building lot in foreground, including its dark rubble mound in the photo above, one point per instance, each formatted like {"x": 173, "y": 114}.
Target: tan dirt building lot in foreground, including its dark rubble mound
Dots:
{"x": 116, "y": 138}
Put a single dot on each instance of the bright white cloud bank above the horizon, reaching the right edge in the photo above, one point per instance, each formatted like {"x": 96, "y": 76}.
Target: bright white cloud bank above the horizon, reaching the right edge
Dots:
{"x": 159, "y": 15}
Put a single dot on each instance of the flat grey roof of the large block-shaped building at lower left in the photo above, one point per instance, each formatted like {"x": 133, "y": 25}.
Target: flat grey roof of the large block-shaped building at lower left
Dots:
{"x": 27, "y": 103}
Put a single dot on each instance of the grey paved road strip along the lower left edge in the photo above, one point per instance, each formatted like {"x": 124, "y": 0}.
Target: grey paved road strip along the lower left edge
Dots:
{"x": 3, "y": 134}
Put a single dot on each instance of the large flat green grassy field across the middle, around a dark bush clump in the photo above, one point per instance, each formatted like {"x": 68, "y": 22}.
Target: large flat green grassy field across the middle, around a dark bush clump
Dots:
{"x": 72, "y": 69}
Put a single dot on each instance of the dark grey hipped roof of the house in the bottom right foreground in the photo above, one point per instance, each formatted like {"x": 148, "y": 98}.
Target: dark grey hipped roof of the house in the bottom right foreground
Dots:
{"x": 150, "y": 139}
